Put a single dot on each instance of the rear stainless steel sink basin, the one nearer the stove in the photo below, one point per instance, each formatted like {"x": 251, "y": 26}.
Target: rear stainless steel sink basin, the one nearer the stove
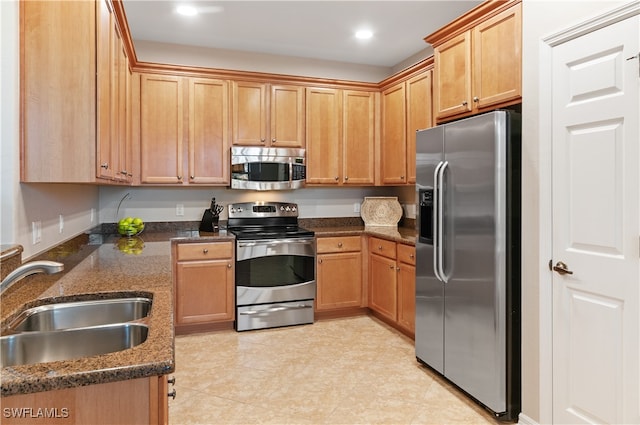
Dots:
{"x": 80, "y": 314}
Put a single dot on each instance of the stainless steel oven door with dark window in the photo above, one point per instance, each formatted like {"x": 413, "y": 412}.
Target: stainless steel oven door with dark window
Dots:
{"x": 275, "y": 270}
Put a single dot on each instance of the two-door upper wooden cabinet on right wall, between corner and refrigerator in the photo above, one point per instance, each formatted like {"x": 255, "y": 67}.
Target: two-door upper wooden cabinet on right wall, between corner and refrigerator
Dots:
{"x": 406, "y": 107}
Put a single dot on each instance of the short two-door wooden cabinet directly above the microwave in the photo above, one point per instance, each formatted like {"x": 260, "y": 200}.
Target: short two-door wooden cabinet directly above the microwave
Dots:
{"x": 267, "y": 115}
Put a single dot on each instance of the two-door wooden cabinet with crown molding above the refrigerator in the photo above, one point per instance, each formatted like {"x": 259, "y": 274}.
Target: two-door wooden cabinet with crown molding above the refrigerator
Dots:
{"x": 478, "y": 61}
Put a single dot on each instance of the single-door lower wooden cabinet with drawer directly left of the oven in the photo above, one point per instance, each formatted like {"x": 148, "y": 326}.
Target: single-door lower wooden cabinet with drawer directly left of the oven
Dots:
{"x": 203, "y": 283}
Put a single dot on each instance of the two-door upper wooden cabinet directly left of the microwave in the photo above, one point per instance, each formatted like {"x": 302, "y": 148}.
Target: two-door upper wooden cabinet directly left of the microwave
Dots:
{"x": 183, "y": 130}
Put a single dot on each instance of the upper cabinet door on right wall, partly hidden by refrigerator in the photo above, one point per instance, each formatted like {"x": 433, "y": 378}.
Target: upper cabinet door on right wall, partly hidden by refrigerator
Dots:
{"x": 419, "y": 116}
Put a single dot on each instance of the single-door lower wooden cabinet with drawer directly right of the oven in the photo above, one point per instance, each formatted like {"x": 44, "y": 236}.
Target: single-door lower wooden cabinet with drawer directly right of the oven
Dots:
{"x": 339, "y": 273}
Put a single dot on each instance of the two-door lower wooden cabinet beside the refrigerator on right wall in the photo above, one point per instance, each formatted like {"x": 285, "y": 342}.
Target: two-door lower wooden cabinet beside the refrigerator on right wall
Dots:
{"x": 392, "y": 282}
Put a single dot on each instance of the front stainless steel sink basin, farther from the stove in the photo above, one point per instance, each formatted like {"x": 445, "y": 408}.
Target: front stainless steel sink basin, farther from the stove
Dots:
{"x": 39, "y": 347}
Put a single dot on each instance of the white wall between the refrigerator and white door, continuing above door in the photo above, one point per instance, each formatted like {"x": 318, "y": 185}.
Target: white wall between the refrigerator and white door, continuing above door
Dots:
{"x": 540, "y": 19}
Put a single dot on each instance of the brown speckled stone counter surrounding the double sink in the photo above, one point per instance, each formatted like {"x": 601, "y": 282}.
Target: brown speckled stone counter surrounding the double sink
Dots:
{"x": 102, "y": 268}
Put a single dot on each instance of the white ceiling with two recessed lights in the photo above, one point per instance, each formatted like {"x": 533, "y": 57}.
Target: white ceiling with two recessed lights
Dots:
{"x": 306, "y": 29}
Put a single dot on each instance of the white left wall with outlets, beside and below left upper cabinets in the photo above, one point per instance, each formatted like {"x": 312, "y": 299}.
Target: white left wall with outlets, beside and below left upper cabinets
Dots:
{"x": 24, "y": 203}
